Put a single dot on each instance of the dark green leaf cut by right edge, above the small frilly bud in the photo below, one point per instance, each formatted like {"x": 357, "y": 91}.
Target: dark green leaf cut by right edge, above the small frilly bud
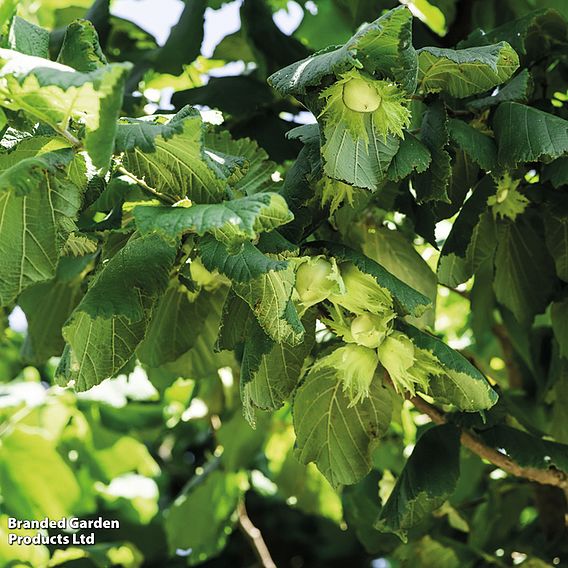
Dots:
{"x": 527, "y": 134}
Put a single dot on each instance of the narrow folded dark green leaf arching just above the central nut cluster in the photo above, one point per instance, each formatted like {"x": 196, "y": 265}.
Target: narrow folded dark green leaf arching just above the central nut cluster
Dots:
{"x": 407, "y": 299}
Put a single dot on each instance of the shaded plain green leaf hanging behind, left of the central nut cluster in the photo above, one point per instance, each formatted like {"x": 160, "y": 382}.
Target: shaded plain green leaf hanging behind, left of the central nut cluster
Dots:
{"x": 177, "y": 320}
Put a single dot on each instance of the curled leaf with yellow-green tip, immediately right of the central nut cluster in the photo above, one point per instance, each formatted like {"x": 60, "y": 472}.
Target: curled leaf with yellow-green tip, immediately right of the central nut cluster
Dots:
{"x": 462, "y": 384}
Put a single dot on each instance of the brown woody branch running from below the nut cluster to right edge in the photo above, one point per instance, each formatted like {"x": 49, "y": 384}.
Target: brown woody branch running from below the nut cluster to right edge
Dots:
{"x": 504, "y": 462}
